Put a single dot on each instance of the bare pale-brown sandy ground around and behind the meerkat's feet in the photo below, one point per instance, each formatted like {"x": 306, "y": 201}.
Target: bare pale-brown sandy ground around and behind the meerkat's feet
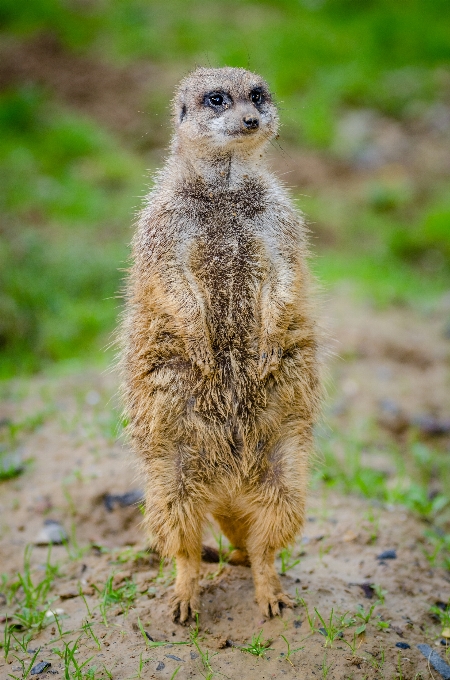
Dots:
{"x": 75, "y": 460}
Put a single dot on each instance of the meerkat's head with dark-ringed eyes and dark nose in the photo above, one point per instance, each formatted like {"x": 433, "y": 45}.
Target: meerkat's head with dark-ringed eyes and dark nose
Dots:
{"x": 224, "y": 110}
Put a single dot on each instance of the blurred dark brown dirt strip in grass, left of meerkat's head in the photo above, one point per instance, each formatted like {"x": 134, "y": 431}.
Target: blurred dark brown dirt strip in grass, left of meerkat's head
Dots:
{"x": 118, "y": 97}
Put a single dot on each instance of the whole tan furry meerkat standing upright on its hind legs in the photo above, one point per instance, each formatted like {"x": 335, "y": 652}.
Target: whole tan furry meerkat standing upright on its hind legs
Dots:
{"x": 220, "y": 348}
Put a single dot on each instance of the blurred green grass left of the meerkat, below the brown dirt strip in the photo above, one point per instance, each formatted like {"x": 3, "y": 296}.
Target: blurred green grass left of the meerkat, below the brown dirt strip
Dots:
{"x": 68, "y": 196}
